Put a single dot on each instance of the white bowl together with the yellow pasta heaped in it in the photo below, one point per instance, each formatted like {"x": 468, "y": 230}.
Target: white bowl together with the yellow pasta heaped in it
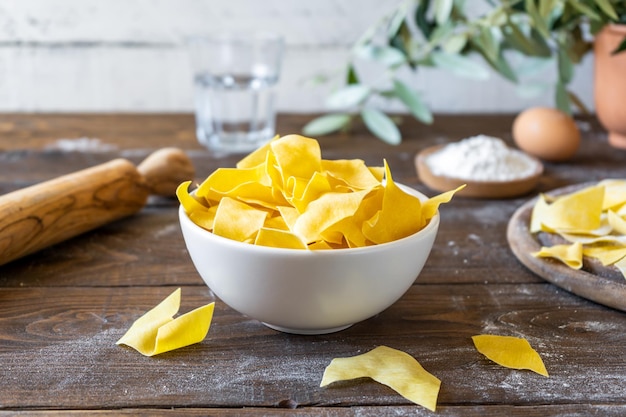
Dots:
{"x": 303, "y": 244}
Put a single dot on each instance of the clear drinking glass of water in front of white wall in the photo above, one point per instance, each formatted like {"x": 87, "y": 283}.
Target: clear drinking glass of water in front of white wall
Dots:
{"x": 235, "y": 76}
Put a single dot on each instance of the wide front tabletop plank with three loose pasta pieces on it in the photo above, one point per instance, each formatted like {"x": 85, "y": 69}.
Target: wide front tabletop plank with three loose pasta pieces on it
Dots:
{"x": 64, "y": 349}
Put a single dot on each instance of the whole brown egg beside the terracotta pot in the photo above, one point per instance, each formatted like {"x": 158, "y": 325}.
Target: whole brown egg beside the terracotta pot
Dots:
{"x": 546, "y": 133}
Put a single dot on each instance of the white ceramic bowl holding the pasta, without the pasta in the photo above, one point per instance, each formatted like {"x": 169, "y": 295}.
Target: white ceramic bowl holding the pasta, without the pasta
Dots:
{"x": 308, "y": 292}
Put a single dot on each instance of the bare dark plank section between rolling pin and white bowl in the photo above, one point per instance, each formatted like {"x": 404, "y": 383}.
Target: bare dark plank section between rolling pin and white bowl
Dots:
{"x": 145, "y": 249}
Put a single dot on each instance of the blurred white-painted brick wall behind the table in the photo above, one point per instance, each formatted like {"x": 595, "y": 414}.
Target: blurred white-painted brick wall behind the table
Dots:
{"x": 127, "y": 55}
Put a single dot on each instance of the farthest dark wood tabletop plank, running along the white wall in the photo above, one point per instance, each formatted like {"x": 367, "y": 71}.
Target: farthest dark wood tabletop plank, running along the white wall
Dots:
{"x": 147, "y": 131}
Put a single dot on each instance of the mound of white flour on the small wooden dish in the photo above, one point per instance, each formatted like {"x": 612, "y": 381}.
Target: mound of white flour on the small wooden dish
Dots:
{"x": 481, "y": 158}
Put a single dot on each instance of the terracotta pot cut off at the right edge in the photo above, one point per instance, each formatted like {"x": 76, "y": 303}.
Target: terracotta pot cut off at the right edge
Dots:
{"x": 610, "y": 83}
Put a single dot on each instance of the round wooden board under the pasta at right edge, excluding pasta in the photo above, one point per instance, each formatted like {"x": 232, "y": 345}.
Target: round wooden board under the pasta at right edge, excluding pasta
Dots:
{"x": 602, "y": 284}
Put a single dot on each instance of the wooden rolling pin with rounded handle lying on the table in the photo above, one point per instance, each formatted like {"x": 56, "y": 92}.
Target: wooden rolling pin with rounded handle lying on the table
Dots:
{"x": 47, "y": 213}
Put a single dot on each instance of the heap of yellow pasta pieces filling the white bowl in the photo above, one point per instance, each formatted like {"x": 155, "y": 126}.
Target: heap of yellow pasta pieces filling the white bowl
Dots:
{"x": 285, "y": 195}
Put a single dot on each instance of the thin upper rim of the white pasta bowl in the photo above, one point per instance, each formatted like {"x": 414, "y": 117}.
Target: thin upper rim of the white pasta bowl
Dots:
{"x": 431, "y": 227}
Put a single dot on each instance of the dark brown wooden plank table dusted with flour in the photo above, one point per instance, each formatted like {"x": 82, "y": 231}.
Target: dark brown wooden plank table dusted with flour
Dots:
{"x": 62, "y": 309}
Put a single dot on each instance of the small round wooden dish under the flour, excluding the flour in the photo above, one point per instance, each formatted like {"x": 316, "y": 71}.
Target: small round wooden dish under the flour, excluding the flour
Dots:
{"x": 475, "y": 189}
